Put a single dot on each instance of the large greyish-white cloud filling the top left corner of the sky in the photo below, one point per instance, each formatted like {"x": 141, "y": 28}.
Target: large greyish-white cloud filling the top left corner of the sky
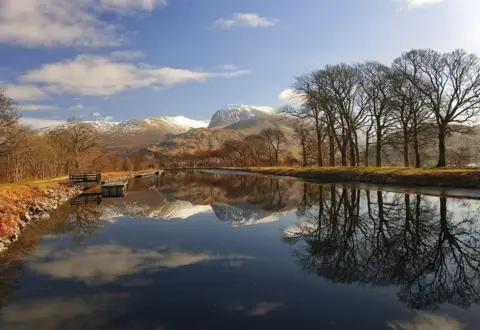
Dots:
{"x": 65, "y": 22}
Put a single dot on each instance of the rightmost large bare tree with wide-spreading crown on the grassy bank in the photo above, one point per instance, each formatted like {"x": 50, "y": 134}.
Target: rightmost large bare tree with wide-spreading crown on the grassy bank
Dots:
{"x": 450, "y": 83}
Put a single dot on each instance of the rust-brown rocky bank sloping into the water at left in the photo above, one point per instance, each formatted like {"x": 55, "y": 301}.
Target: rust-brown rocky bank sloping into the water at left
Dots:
{"x": 20, "y": 206}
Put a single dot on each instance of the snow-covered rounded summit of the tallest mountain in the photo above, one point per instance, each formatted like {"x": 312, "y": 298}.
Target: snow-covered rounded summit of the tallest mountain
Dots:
{"x": 234, "y": 113}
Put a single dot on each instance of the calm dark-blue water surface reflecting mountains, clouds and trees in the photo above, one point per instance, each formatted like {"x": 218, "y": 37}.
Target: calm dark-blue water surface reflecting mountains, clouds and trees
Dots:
{"x": 191, "y": 250}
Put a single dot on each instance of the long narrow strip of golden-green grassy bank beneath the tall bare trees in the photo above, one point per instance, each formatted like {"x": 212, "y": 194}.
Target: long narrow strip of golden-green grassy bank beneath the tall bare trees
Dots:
{"x": 442, "y": 177}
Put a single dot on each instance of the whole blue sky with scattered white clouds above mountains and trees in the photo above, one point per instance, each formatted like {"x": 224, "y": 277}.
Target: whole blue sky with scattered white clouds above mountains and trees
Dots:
{"x": 116, "y": 60}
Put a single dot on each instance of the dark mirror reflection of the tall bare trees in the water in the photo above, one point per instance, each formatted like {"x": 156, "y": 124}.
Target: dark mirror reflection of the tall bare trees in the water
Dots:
{"x": 378, "y": 238}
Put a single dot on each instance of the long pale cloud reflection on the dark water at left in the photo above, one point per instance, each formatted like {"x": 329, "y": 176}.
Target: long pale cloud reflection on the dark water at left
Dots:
{"x": 99, "y": 264}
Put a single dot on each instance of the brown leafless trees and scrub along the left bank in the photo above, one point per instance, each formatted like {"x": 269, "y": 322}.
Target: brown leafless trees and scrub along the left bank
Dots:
{"x": 76, "y": 146}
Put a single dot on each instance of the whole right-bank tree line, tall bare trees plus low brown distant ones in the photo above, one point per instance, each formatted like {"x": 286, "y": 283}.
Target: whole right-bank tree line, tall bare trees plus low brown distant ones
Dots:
{"x": 361, "y": 114}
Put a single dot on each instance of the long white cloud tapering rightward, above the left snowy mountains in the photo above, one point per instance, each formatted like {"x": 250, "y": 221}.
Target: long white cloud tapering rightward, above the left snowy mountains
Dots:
{"x": 102, "y": 75}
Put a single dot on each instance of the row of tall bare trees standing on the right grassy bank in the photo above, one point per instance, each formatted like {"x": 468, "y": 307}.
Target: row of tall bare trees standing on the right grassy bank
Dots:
{"x": 351, "y": 108}
